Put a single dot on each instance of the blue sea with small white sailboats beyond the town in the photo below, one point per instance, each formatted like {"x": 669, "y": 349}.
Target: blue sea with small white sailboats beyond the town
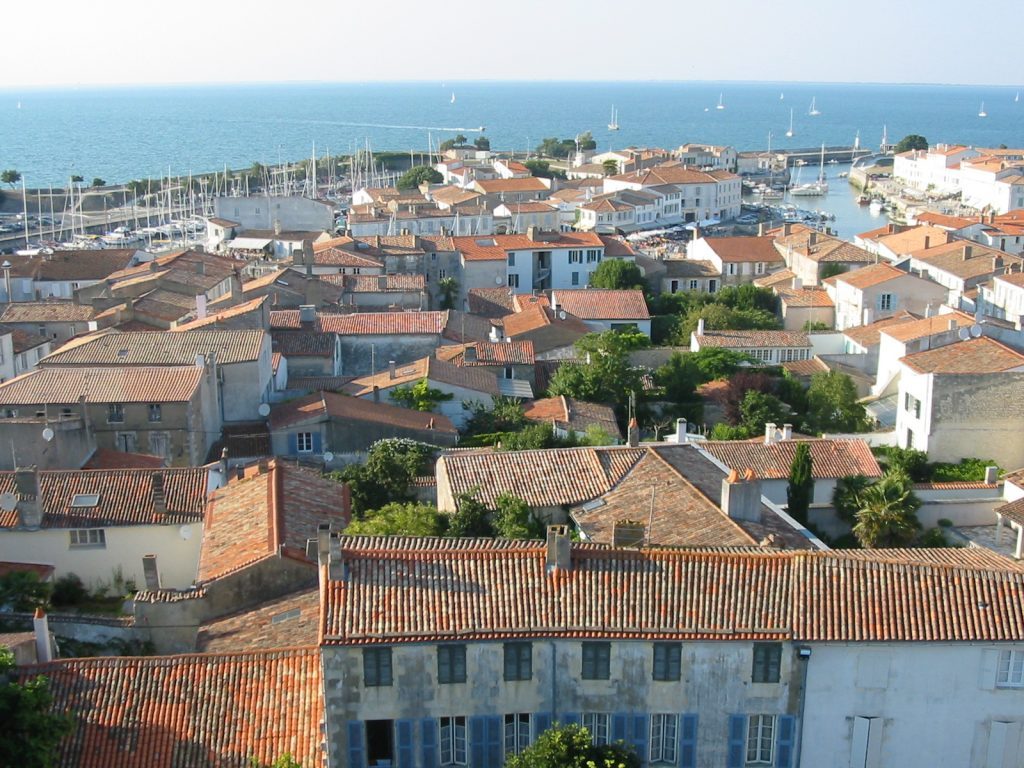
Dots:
{"x": 125, "y": 134}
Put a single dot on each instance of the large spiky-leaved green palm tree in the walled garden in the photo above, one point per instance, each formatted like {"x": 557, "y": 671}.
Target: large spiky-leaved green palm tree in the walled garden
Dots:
{"x": 888, "y": 515}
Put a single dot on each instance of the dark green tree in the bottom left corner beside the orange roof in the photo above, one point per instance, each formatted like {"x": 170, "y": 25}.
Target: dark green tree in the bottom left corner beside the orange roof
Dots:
{"x": 32, "y": 733}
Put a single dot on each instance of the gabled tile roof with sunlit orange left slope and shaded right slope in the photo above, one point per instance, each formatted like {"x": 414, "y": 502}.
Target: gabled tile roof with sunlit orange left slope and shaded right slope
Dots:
{"x": 272, "y": 513}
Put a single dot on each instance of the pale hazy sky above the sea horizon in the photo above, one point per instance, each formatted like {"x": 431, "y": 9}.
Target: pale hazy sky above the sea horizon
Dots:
{"x": 70, "y": 42}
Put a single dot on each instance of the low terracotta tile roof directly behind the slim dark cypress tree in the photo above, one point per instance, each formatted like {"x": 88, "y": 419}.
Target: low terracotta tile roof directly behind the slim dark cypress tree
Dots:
{"x": 830, "y": 459}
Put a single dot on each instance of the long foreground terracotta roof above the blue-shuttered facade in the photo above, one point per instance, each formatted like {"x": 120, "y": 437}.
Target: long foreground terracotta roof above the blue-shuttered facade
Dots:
{"x": 473, "y": 589}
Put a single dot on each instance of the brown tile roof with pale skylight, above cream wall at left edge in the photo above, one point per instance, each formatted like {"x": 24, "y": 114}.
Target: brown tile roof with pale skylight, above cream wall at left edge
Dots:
{"x": 126, "y": 497}
